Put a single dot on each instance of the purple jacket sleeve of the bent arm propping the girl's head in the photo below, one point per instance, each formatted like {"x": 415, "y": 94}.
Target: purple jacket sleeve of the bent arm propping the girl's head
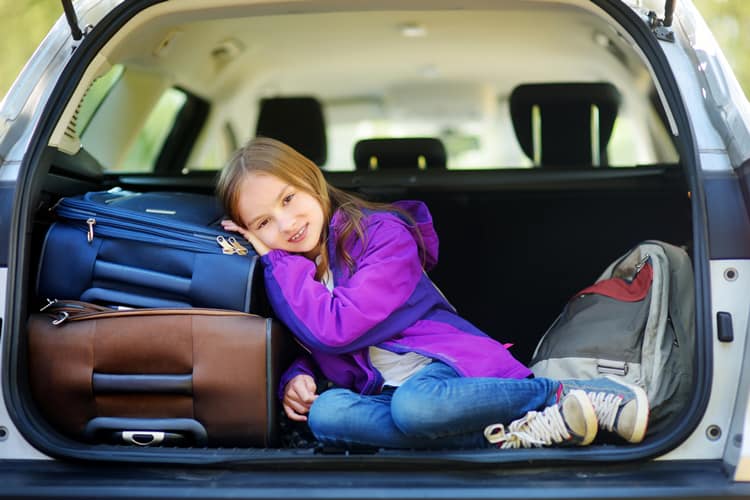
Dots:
{"x": 352, "y": 315}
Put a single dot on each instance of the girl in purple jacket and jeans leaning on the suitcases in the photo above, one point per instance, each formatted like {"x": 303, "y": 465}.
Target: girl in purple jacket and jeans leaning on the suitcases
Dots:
{"x": 348, "y": 279}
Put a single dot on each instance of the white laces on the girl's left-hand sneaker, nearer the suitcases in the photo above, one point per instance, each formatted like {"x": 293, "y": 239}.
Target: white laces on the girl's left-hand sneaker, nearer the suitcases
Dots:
{"x": 535, "y": 429}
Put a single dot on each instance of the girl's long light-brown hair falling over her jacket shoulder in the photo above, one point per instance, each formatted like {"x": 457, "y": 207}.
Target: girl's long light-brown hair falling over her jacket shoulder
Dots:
{"x": 263, "y": 154}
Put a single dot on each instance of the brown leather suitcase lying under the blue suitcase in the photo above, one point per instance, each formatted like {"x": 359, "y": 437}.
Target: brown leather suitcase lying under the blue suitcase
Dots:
{"x": 158, "y": 376}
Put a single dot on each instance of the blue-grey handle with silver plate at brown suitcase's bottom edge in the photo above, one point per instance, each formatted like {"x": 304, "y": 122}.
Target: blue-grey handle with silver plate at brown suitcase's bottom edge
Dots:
{"x": 147, "y": 431}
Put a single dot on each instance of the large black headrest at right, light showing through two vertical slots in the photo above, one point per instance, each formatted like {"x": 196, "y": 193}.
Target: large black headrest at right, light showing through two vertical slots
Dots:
{"x": 568, "y": 112}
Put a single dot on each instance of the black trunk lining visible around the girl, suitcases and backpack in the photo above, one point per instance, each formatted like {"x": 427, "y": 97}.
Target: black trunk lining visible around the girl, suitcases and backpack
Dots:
{"x": 515, "y": 245}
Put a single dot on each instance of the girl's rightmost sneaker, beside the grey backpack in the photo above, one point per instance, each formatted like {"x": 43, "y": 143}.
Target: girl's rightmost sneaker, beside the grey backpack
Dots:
{"x": 620, "y": 408}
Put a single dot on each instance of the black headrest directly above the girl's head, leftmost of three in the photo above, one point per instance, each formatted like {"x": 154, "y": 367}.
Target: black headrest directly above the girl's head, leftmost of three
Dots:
{"x": 296, "y": 121}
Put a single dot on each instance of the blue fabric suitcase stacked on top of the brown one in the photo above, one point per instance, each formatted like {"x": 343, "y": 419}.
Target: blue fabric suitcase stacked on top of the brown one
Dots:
{"x": 159, "y": 249}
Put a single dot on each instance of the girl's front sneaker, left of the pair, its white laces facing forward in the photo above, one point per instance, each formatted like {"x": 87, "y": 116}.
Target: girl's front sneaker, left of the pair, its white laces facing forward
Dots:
{"x": 571, "y": 421}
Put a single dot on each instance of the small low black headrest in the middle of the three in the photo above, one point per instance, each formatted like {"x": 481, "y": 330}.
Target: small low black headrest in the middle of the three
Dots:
{"x": 408, "y": 152}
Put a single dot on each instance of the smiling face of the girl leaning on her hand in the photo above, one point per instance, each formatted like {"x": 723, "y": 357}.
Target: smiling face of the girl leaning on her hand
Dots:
{"x": 280, "y": 215}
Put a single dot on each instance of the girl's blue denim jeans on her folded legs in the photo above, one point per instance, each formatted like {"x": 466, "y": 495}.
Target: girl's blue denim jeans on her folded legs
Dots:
{"x": 435, "y": 408}
